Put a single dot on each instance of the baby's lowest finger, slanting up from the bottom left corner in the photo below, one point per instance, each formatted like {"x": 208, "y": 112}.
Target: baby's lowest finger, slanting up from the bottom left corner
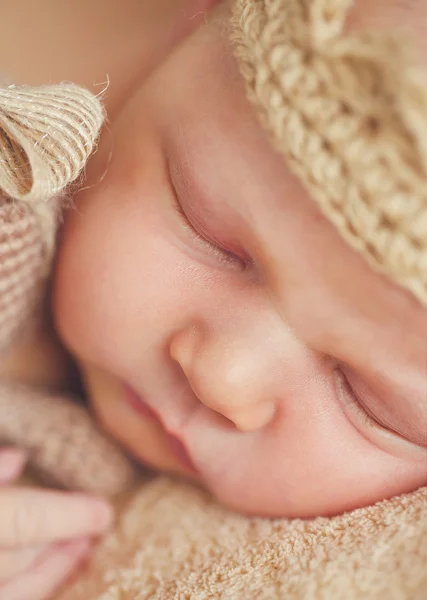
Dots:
{"x": 40, "y": 582}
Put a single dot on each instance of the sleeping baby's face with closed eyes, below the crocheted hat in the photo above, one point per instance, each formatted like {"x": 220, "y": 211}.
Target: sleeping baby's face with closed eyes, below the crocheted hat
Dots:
{"x": 212, "y": 308}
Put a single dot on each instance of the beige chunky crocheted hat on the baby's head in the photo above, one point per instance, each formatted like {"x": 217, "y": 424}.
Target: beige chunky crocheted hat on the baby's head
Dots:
{"x": 349, "y": 112}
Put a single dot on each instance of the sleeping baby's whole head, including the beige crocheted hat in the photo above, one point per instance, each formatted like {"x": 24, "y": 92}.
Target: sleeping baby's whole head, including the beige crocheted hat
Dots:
{"x": 243, "y": 280}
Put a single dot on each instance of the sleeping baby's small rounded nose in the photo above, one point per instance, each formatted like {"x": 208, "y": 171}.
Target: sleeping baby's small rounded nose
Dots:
{"x": 224, "y": 381}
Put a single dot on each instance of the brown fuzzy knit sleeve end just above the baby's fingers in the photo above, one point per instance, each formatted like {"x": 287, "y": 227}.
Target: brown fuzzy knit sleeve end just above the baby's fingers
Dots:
{"x": 62, "y": 441}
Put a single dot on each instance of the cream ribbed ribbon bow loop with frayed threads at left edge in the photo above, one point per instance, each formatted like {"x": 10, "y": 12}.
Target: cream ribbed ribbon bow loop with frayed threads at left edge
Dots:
{"x": 47, "y": 134}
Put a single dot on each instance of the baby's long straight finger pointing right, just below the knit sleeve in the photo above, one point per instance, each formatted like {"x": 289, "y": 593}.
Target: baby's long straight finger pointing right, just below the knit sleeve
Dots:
{"x": 29, "y": 517}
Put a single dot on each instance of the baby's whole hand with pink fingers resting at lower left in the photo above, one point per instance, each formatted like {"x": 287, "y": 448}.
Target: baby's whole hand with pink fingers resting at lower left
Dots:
{"x": 43, "y": 534}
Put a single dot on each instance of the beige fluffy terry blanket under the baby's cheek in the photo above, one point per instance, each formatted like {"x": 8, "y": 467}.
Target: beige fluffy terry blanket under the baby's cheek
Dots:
{"x": 173, "y": 542}
